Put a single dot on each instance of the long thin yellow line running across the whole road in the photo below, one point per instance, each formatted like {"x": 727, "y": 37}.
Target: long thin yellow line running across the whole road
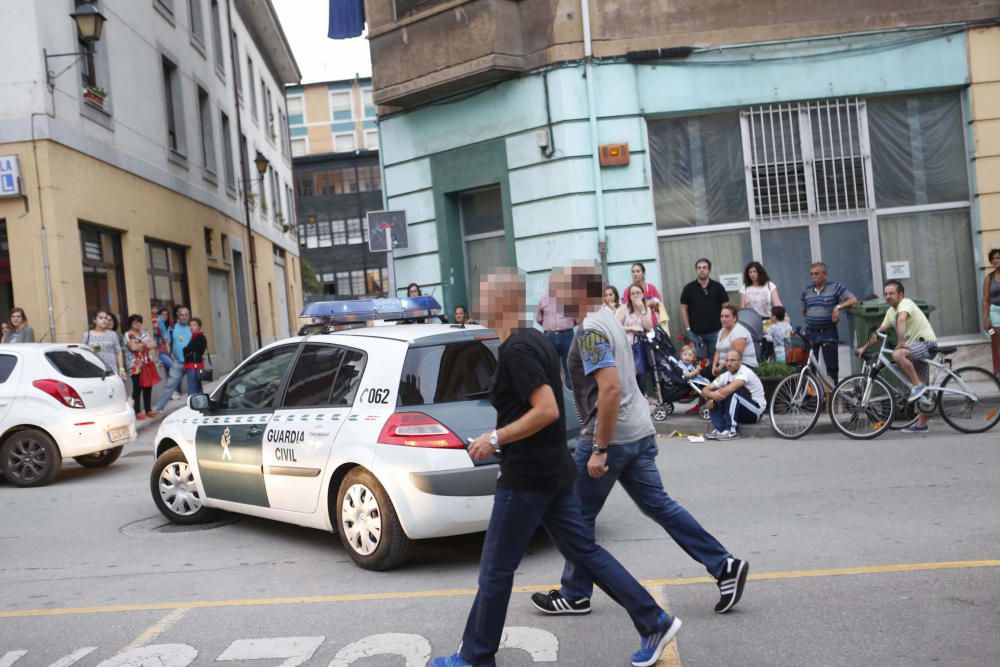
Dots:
{"x": 468, "y": 592}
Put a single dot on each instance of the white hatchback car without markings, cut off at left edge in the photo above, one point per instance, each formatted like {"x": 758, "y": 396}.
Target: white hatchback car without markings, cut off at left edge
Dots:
{"x": 58, "y": 401}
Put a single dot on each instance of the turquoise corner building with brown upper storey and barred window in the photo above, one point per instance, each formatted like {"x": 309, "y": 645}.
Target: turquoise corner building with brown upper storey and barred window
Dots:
{"x": 866, "y": 136}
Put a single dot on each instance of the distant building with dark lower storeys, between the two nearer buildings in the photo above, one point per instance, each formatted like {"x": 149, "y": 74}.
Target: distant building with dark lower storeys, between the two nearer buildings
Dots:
{"x": 334, "y": 139}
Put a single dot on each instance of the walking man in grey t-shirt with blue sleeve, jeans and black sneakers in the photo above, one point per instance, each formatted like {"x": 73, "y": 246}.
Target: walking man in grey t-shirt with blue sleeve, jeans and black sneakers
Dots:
{"x": 618, "y": 443}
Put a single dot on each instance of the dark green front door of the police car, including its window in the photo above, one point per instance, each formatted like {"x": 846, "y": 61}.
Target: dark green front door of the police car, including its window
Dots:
{"x": 229, "y": 439}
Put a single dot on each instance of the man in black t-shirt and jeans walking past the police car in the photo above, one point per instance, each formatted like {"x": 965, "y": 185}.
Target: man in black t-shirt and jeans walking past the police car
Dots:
{"x": 535, "y": 487}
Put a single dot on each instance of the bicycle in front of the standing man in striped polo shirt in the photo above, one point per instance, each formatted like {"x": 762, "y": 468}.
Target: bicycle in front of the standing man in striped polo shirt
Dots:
{"x": 798, "y": 399}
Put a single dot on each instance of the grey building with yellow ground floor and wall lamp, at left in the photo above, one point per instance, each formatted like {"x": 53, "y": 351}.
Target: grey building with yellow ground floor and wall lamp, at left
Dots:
{"x": 137, "y": 186}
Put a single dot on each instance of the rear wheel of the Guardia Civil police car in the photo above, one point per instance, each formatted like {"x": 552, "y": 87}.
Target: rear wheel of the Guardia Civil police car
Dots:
{"x": 367, "y": 523}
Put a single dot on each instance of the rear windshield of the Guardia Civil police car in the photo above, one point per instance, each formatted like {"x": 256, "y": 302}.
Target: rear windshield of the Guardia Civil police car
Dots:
{"x": 448, "y": 373}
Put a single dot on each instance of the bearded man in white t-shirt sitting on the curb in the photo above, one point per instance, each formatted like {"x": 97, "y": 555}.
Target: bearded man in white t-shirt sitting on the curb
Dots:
{"x": 735, "y": 397}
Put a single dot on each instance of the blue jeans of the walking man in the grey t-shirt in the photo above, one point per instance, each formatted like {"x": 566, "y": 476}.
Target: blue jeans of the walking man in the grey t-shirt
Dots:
{"x": 634, "y": 466}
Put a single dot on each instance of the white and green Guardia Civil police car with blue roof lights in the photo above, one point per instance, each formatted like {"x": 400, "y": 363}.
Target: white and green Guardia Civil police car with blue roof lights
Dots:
{"x": 361, "y": 432}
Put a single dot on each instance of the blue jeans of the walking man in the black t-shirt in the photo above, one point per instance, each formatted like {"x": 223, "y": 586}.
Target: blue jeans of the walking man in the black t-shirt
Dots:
{"x": 515, "y": 518}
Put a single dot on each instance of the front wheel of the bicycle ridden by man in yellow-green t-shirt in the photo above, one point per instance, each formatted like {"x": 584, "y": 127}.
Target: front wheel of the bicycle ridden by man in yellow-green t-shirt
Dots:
{"x": 859, "y": 413}
